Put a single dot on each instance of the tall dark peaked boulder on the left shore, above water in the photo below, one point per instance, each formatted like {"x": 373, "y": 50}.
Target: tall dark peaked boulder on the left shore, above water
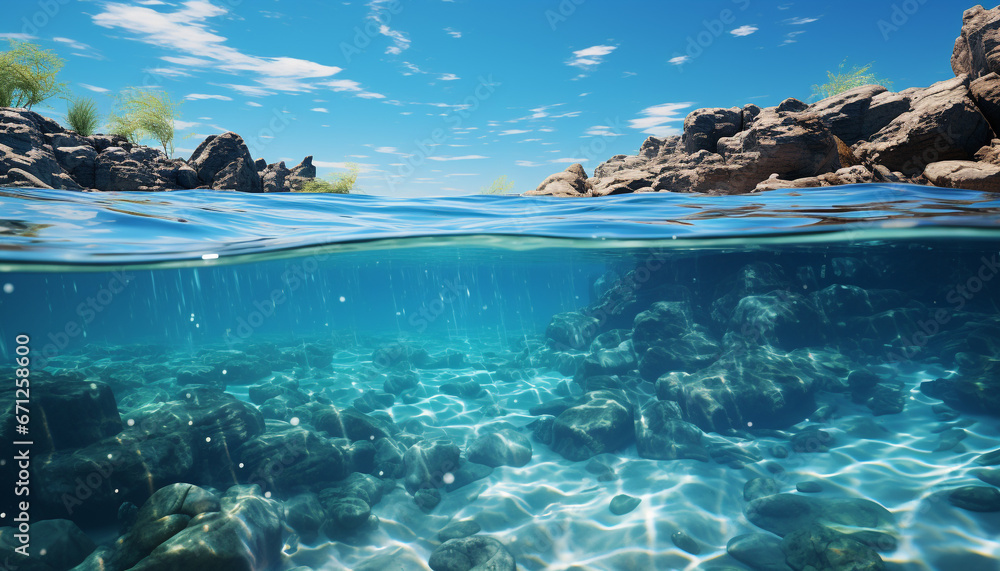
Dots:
{"x": 224, "y": 163}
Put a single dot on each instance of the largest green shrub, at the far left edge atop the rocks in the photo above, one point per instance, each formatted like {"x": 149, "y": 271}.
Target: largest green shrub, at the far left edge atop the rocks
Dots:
{"x": 28, "y": 75}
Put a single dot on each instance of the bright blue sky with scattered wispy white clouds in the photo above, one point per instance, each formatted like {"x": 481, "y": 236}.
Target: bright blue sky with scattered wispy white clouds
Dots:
{"x": 441, "y": 97}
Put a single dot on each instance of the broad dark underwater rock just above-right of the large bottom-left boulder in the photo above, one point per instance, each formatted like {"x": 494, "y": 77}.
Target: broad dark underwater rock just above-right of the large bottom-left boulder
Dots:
{"x": 290, "y": 458}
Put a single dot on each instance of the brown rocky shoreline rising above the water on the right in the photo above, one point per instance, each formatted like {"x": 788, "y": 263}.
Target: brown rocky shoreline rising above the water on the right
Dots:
{"x": 943, "y": 135}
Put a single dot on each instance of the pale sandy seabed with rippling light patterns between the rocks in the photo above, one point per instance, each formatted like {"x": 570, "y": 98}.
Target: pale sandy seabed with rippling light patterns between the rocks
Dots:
{"x": 553, "y": 513}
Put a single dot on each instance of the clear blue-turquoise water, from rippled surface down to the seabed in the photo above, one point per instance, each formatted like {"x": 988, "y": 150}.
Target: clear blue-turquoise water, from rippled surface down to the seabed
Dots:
{"x": 347, "y": 382}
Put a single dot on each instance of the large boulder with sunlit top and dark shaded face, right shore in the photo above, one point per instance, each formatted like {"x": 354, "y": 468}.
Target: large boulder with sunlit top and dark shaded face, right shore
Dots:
{"x": 943, "y": 123}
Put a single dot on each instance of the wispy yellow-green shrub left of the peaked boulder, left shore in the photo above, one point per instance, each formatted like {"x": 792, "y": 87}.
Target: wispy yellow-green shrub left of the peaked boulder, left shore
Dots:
{"x": 143, "y": 113}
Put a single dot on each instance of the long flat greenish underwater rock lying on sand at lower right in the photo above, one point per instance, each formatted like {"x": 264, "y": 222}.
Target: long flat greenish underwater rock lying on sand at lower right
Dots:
{"x": 782, "y": 514}
